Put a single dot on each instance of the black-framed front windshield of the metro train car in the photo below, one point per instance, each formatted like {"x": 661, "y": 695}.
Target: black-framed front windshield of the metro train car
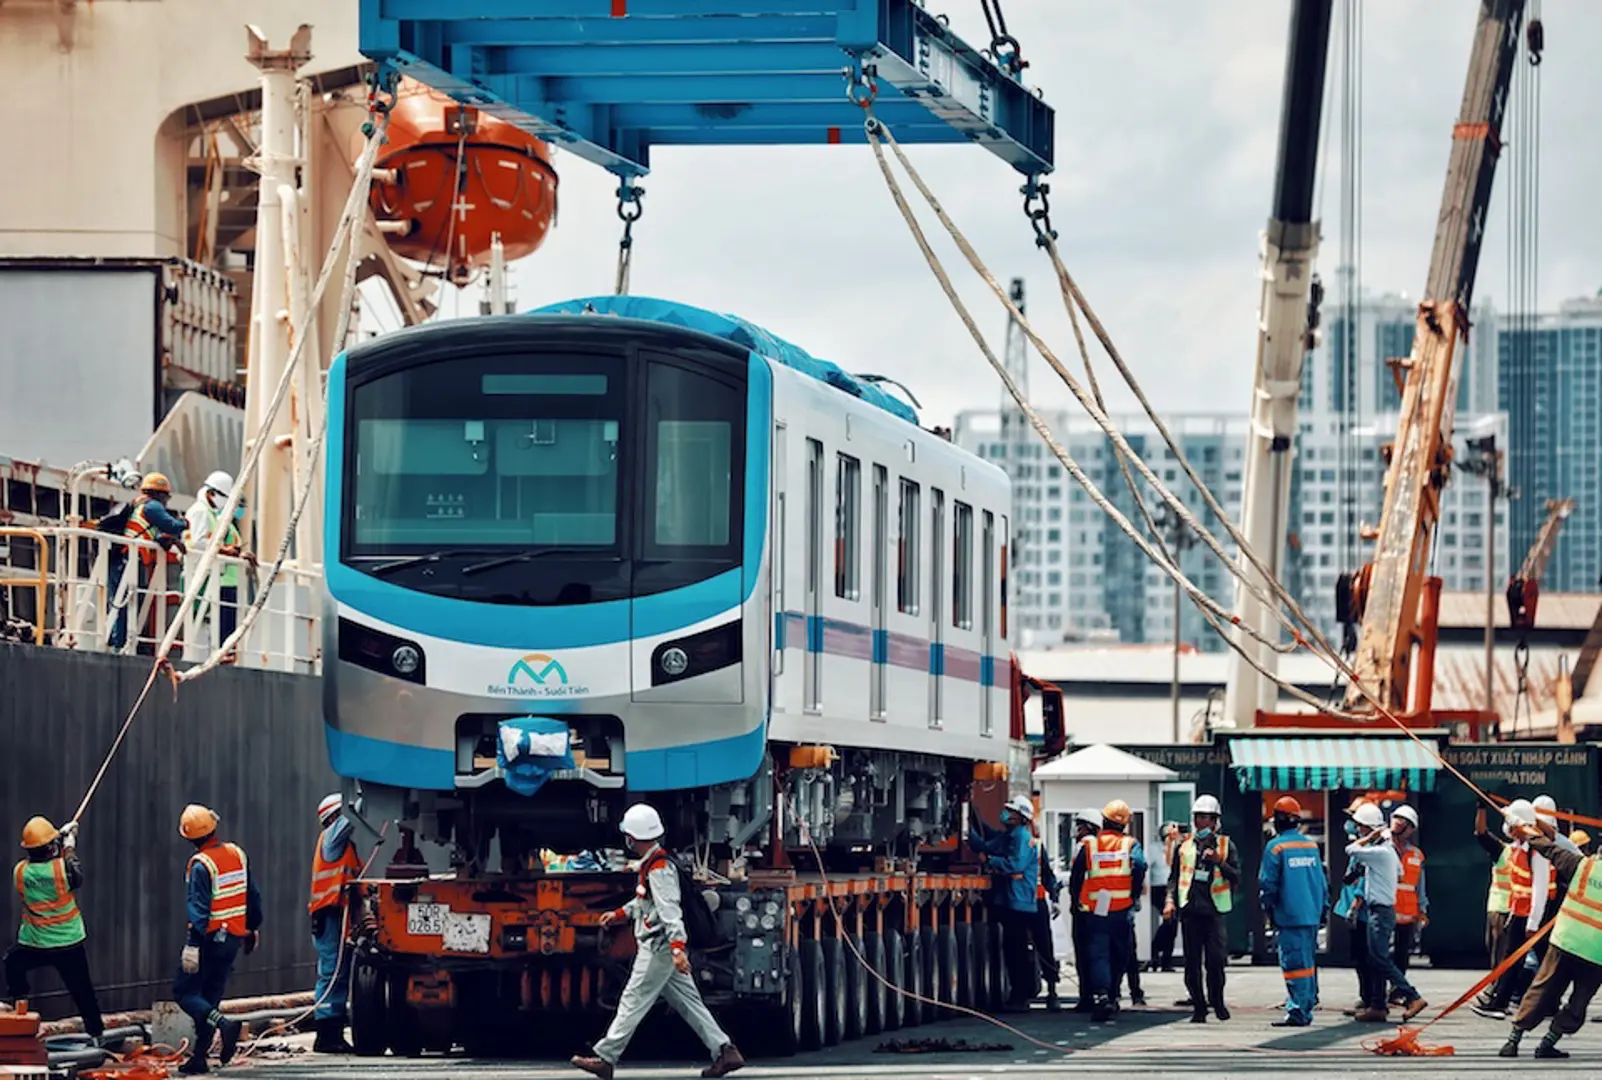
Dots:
{"x": 545, "y": 478}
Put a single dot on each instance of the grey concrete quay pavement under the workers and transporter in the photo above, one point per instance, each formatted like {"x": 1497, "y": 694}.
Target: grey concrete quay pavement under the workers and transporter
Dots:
{"x": 1156, "y": 1042}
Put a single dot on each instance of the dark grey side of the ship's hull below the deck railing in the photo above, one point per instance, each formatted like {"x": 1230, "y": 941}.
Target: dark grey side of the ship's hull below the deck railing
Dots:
{"x": 246, "y": 743}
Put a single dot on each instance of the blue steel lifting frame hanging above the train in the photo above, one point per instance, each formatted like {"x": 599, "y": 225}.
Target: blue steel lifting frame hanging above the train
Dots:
{"x": 610, "y": 79}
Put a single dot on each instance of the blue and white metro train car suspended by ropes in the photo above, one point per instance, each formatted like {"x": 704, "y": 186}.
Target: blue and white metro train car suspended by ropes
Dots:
{"x": 751, "y": 586}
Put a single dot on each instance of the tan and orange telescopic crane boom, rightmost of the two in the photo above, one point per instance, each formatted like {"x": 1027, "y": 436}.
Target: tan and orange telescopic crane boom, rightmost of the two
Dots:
{"x": 1422, "y": 454}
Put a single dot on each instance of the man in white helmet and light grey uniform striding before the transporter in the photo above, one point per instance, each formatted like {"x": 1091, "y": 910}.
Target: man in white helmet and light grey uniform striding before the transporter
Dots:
{"x": 662, "y": 961}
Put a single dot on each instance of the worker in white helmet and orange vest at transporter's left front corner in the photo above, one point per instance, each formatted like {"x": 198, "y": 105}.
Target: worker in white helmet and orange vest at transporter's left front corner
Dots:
{"x": 334, "y": 866}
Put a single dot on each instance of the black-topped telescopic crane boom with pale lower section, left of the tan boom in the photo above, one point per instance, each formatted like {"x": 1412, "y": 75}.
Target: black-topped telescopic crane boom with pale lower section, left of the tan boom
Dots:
{"x": 1287, "y": 321}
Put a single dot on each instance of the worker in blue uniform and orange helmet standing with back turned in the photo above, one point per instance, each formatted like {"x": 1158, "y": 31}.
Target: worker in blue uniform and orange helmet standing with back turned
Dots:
{"x": 1295, "y": 895}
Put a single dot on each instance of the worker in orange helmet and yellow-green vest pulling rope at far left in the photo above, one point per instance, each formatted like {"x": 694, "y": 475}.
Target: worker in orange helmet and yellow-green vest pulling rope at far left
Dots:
{"x": 52, "y": 933}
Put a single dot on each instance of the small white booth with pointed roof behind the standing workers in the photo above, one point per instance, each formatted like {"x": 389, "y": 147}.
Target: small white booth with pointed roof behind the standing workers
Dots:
{"x": 1090, "y": 780}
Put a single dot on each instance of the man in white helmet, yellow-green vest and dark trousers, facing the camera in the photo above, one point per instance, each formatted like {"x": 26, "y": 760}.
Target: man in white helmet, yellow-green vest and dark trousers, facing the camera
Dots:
{"x": 1202, "y": 897}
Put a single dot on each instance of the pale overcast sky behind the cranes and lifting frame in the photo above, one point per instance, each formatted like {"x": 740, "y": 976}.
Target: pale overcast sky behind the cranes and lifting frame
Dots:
{"x": 1167, "y": 121}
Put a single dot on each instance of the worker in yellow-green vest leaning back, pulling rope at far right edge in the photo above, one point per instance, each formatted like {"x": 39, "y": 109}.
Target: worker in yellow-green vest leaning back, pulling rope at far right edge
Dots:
{"x": 1574, "y": 962}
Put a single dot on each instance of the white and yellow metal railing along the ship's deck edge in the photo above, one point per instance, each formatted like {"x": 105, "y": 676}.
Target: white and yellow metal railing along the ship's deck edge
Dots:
{"x": 81, "y": 589}
